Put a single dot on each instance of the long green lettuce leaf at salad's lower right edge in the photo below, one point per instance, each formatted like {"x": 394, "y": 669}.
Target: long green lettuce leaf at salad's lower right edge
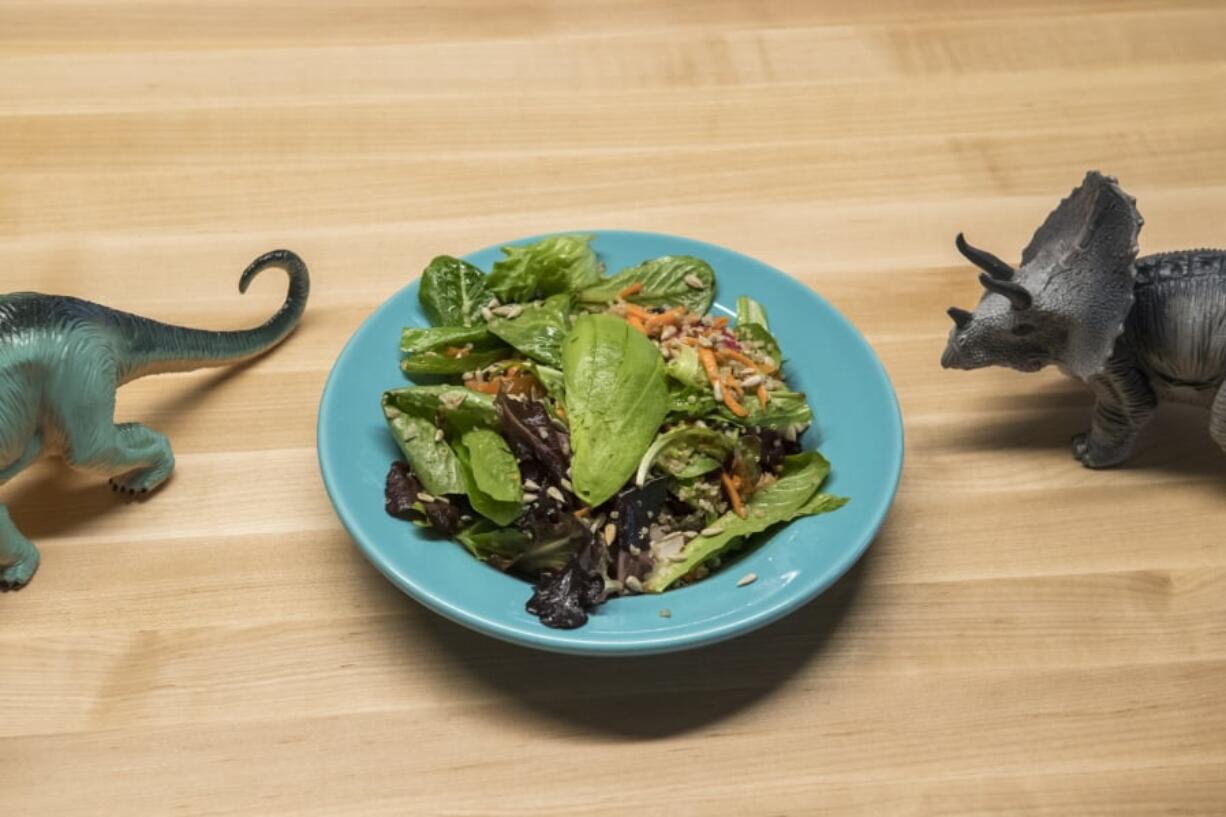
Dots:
{"x": 794, "y": 495}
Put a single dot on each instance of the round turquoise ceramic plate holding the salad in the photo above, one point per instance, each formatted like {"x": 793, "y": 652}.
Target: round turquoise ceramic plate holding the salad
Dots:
{"x": 858, "y": 428}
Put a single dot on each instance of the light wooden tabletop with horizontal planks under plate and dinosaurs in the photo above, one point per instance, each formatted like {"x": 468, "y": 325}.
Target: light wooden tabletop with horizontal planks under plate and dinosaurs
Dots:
{"x": 1026, "y": 637}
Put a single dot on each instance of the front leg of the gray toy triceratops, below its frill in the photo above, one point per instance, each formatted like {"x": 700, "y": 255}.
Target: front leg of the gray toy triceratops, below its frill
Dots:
{"x": 1124, "y": 404}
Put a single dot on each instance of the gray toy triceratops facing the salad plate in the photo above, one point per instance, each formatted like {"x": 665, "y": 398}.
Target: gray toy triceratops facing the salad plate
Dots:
{"x": 1135, "y": 331}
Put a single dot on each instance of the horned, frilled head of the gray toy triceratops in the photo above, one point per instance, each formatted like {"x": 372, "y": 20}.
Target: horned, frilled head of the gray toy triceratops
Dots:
{"x": 1067, "y": 302}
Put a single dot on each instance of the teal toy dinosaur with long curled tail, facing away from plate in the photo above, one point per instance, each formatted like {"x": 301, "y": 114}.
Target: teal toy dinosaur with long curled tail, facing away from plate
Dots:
{"x": 61, "y": 362}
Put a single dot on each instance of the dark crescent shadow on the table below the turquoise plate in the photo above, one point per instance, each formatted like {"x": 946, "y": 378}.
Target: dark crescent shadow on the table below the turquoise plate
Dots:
{"x": 647, "y": 697}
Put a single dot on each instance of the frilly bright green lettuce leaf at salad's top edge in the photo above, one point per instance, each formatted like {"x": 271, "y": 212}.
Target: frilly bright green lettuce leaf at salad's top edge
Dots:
{"x": 552, "y": 266}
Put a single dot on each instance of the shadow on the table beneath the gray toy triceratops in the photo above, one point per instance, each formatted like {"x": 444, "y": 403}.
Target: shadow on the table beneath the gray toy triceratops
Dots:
{"x": 1176, "y": 441}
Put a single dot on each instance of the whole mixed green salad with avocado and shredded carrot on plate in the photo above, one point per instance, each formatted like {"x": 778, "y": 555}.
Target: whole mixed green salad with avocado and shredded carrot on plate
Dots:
{"x": 600, "y": 436}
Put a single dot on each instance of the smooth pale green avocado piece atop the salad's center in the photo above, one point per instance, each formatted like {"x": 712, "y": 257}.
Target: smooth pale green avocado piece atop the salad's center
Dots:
{"x": 617, "y": 397}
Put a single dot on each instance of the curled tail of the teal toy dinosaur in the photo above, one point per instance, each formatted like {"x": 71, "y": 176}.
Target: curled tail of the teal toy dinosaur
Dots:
{"x": 154, "y": 348}
